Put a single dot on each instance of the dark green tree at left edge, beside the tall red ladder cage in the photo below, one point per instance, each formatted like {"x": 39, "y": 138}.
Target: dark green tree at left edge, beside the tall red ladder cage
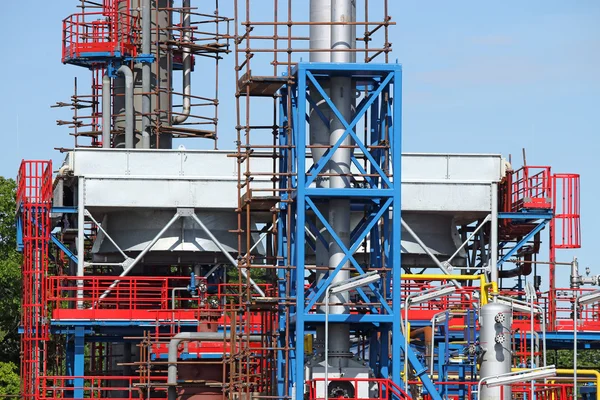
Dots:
{"x": 10, "y": 276}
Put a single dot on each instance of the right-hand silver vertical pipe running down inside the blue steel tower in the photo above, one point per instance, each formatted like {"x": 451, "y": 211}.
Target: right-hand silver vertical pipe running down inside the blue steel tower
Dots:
{"x": 342, "y": 96}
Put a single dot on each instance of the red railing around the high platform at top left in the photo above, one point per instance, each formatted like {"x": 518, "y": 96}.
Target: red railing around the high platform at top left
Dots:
{"x": 103, "y": 33}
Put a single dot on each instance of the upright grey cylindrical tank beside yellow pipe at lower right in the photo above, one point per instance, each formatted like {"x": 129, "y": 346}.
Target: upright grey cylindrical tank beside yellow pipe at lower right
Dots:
{"x": 495, "y": 341}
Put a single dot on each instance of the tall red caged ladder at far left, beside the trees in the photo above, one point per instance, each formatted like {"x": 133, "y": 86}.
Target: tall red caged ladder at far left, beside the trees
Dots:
{"x": 34, "y": 194}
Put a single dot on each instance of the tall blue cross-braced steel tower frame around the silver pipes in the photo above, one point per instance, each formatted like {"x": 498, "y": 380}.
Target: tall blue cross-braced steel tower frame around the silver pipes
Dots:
{"x": 384, "y": 198}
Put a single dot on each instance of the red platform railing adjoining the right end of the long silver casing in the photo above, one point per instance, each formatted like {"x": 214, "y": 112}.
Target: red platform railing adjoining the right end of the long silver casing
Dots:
{"x": 530, "y": 188}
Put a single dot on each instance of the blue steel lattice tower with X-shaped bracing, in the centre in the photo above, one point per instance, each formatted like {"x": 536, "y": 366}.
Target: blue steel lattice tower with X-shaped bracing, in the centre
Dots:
{"x": 375, "y": 190}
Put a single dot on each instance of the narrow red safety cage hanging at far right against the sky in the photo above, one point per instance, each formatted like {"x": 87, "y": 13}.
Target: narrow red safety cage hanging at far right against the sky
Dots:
{"x": 567, "y": 217}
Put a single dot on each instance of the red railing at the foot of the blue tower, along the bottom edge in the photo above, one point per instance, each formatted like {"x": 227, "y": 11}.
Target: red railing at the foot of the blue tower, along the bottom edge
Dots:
{"x": 362, "y": 388}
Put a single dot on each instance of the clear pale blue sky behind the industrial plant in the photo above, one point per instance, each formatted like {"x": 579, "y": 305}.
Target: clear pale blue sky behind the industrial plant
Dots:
{"x": 479, "y": 76}
